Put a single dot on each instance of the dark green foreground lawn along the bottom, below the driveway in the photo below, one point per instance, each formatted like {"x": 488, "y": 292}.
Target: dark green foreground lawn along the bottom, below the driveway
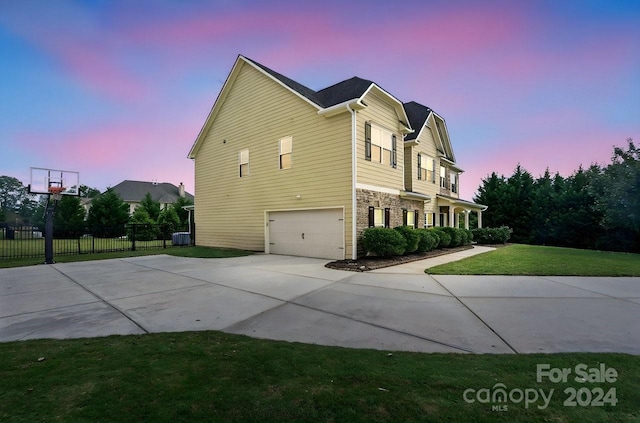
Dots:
{"x": 212, "y": 376}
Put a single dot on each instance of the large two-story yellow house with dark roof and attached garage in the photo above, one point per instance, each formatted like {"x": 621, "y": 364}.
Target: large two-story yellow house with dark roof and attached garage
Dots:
{"x": 284, "y": 169}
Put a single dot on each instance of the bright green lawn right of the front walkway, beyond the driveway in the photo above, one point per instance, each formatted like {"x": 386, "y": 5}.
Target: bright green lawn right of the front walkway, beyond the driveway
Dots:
{"x": 520, "y": 259}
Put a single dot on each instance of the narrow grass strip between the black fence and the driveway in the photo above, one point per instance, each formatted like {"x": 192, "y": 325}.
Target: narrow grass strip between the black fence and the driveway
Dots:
{"x": 201, "y": 252}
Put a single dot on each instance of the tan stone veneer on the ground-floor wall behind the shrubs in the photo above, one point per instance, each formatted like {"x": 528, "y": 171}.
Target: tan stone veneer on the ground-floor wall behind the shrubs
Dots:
{"x": 366, "y": 198}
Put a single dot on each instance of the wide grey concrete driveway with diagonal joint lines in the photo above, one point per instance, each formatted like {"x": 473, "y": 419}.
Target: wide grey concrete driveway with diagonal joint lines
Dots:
{"x": 298, "y": 299}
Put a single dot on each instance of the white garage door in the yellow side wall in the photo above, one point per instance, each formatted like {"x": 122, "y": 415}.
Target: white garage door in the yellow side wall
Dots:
{"x": 307, "y": 233}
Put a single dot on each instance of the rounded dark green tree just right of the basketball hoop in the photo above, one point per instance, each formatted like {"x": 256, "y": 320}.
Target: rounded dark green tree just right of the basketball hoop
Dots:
{"x": 108, "y": 215}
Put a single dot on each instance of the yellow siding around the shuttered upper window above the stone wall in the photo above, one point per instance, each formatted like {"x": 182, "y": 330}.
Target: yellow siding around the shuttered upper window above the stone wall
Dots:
{"x": 380, "y": 113}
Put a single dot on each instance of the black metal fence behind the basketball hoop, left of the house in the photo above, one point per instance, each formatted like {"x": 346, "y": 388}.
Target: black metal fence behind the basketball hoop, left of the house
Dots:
{"x": 29, "y": 242}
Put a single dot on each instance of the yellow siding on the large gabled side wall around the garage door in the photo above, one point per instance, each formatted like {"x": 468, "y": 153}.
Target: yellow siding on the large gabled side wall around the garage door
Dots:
{"x": 256, "y": 113}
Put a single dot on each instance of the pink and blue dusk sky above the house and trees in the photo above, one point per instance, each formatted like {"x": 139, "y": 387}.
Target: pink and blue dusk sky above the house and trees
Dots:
{"x": 120, "y": 89}
